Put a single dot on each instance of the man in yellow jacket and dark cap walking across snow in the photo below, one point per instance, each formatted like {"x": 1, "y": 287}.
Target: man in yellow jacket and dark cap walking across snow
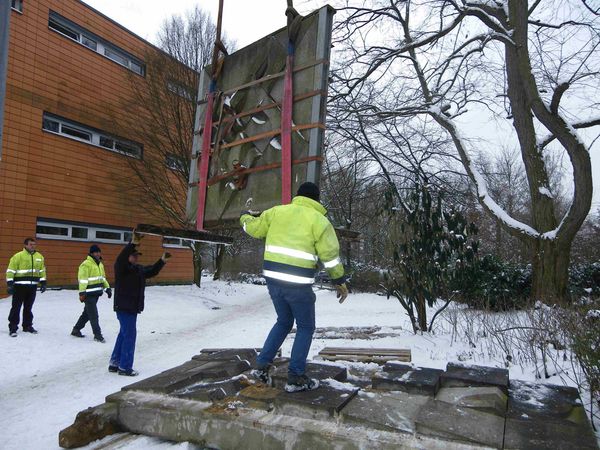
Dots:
{"x": 92, "y": 283}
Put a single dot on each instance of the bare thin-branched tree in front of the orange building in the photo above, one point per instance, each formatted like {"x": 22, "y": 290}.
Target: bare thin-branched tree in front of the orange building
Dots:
{"x": 162, "y": 109}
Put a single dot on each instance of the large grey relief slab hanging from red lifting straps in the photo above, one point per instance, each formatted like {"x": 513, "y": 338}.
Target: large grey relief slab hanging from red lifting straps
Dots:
{"x": 246, "y": 144}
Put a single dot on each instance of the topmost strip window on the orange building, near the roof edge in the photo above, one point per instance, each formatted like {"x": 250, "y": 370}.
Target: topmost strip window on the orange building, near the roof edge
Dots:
{"x": 64, "y": 26}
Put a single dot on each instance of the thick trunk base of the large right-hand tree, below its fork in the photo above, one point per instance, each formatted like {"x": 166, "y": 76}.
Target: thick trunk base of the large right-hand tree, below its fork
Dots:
{"x": 550, "y": 272}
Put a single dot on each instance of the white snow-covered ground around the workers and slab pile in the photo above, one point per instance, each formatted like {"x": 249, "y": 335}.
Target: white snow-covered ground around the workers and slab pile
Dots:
{"x": 45, "y": 379}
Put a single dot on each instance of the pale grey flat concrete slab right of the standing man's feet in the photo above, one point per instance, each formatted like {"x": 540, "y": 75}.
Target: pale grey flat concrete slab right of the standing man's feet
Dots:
{"x": 391, "y": 411}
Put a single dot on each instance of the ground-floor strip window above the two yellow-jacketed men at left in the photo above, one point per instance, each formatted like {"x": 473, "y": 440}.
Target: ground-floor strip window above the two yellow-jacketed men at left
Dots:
{"x": 75, "y": 231}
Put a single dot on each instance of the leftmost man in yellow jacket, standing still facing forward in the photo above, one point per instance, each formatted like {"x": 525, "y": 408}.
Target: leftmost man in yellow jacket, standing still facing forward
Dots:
{"x": 25, "y": 271}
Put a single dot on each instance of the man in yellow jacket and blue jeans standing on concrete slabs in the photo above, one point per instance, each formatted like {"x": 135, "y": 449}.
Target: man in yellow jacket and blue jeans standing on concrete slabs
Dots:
{"x": 297, "y": 236}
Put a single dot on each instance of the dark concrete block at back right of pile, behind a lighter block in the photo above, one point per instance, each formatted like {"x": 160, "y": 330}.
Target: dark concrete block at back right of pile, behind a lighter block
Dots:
{"x": 458, "y": 375}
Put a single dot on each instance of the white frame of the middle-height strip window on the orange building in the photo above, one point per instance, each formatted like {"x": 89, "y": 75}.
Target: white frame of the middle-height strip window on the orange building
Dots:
{"x": 95, "y": 135}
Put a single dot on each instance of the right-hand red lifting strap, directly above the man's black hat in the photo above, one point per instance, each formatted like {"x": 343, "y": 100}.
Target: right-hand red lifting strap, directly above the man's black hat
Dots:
{"x": 286, "y": 128}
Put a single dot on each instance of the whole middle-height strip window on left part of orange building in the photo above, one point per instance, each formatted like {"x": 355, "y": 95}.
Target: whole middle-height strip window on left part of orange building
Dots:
{"x": 79, "y": 132}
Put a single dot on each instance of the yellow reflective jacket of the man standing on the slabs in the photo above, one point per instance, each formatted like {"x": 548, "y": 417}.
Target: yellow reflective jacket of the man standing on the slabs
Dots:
{"x": 297, "y": 236}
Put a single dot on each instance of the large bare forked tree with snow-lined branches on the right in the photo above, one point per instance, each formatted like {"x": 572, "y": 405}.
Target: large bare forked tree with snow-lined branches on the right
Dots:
{"x": 532, "y": 69}
